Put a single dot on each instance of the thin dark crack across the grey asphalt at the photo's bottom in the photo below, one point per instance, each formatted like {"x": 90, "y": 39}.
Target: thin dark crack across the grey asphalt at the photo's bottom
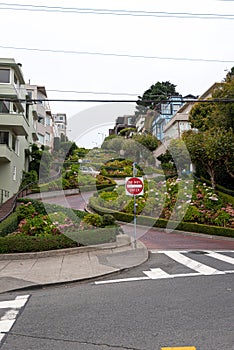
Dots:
{"x": 15, "y": 334}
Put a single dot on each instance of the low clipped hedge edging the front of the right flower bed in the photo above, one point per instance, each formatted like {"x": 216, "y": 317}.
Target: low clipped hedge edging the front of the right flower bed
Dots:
{"x": 162, "y": 223}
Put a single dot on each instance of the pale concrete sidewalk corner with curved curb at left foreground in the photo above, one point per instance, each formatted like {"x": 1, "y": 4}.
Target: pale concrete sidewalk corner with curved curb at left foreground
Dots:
{"x": 18, "y": 271}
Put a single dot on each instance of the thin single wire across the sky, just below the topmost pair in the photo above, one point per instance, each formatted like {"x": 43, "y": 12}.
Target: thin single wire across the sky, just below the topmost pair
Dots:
{"x": 109, "y": 54}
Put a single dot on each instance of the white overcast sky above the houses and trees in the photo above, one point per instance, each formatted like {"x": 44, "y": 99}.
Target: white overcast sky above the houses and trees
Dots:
{"x": 188, "y": 42}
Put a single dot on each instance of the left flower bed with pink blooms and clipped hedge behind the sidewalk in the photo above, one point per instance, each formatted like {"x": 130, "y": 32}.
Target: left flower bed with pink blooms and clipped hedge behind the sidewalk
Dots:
{"x": 45, "y": 227}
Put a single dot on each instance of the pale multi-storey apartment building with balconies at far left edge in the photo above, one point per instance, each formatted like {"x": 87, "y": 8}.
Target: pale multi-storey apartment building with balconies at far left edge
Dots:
{"x": 17, "y": 130}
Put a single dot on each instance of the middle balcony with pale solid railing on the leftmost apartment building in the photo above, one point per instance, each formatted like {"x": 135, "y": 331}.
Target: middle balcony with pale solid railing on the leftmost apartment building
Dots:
{"x": 15, "y": 122}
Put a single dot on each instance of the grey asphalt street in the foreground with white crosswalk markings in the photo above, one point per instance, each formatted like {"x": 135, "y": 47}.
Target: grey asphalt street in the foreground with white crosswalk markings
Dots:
{"x": 138, "y": 314}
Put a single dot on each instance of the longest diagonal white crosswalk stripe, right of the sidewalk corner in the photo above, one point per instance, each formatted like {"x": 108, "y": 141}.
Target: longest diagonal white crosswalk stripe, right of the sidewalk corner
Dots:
{"x": 192, "y": 264}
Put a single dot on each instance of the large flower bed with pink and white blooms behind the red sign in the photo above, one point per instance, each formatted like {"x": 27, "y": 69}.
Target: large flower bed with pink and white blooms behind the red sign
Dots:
{"x": 174, "y": 199}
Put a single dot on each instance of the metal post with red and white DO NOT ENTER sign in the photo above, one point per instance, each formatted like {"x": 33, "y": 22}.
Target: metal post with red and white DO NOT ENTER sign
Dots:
{"x": 134, "y": 186}
